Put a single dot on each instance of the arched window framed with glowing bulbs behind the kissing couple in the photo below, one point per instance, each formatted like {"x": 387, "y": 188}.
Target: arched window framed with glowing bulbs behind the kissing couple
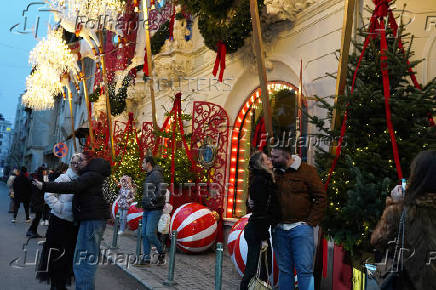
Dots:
{"x": 249, "y": 135}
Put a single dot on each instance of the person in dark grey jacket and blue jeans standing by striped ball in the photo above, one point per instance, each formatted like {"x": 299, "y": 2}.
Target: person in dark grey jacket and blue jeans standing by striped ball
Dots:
{"x": 153, "y": 201}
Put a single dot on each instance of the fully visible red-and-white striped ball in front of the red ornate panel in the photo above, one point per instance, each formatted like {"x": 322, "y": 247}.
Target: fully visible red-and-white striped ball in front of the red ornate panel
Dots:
{"x": 196, "y": 227}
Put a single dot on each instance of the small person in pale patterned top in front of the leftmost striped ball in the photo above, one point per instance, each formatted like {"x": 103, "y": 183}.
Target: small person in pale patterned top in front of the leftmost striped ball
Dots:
{"x": 125, "y": 198}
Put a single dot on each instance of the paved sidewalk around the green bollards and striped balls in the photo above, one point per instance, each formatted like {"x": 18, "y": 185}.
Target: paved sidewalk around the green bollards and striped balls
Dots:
{"x": 191, "y": 271}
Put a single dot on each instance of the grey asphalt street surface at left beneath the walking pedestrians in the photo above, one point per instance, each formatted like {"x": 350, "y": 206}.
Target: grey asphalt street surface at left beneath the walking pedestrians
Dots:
{"x": 17, "y": 260}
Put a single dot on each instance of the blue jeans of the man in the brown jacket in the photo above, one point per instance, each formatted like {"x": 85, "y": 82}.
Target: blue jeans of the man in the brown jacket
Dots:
{"x": 294, "y": 248}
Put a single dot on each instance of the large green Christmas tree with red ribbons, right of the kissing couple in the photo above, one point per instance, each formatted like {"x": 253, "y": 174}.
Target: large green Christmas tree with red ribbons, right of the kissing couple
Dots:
{"x": 366, "y": 172}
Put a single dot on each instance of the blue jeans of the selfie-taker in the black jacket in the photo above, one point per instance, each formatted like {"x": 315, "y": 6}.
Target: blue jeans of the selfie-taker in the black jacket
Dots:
{"x": 87, "y": 252}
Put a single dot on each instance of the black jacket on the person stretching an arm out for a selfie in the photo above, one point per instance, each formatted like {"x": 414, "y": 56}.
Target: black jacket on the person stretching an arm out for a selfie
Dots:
{"x": 88, "y": 201}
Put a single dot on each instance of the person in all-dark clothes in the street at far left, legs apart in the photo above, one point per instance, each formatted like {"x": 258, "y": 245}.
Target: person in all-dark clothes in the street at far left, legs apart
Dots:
{"x": 22, "y": 193}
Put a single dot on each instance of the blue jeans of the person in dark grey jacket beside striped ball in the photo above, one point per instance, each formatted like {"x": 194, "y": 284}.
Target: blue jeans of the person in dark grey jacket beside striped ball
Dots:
{"x": 150, "y": 218}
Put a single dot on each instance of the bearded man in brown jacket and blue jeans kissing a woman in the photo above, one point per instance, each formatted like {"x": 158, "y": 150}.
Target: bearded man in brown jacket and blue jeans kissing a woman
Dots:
{"x": 303, "y": 201}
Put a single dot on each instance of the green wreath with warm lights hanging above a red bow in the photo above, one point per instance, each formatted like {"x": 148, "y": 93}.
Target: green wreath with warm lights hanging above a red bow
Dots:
{"x": 226, "y": 21}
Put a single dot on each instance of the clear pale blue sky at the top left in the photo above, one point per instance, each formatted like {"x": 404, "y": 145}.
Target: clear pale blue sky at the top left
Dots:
{"x": 15, "y": 48}
